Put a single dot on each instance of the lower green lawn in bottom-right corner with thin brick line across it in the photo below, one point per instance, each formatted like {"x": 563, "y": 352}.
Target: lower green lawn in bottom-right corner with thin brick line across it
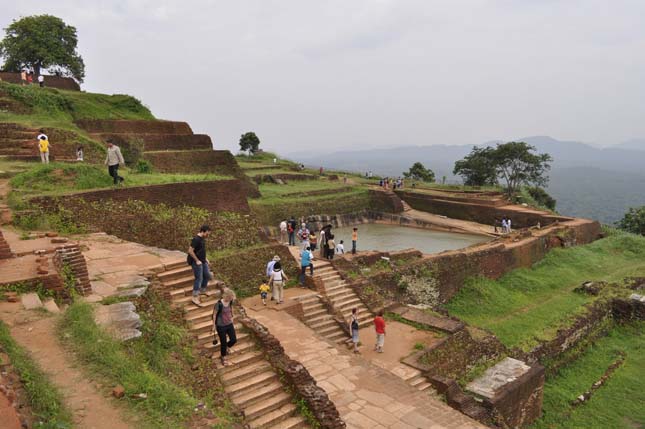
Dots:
{"x": 617, "y": 404}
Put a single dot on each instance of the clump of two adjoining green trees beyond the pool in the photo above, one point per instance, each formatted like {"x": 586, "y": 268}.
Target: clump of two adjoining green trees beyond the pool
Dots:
{"x": 513, "y": 162}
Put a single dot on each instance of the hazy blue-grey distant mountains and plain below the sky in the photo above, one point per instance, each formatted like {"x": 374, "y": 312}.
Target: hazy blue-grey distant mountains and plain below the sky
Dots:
{"x": 587, "y": 181}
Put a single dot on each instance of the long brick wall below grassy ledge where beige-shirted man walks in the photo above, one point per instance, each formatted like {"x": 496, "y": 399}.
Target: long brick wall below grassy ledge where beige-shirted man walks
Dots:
{"x": 214, "y": 196}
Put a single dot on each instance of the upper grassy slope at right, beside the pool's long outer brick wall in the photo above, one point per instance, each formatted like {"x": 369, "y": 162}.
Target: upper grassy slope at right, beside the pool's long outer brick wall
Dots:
{"x": 527, "y": 305}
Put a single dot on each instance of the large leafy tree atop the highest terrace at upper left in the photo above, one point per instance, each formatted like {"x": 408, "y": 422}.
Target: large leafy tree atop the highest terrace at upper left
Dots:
{"x": 42, "y": 42}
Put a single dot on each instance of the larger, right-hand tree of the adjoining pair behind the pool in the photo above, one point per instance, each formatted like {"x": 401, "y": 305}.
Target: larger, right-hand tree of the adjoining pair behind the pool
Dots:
{"x": 517, "y": 165}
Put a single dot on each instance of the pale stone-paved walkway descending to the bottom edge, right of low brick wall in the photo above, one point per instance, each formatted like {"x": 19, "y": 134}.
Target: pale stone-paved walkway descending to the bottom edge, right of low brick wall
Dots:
{"x": 366, "y": 395}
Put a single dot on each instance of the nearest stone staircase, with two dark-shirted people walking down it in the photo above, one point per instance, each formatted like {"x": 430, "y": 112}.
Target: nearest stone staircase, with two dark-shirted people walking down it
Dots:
{"x": 251, "y": 382}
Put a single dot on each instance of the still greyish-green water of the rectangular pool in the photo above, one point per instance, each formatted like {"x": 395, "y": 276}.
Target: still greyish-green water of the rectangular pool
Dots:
{"x": 392, "y": 237}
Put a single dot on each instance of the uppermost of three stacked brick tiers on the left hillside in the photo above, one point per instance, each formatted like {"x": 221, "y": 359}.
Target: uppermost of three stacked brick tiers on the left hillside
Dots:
{"x": 132, "y": 126}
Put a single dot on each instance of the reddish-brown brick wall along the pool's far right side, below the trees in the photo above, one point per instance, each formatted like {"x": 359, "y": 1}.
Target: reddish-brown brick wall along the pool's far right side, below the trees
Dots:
{"x": 476, "y": 212}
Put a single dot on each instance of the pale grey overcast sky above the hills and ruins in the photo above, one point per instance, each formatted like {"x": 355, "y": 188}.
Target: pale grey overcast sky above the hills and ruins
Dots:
{"x": 306, "y": 75}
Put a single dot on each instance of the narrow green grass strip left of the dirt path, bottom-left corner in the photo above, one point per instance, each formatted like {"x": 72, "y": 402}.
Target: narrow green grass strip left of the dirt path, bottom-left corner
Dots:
{"x": 44, "y": 399}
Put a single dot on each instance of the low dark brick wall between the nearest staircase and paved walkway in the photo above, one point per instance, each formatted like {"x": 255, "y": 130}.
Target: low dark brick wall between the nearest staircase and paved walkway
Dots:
{"x": 296, "y": 376}
